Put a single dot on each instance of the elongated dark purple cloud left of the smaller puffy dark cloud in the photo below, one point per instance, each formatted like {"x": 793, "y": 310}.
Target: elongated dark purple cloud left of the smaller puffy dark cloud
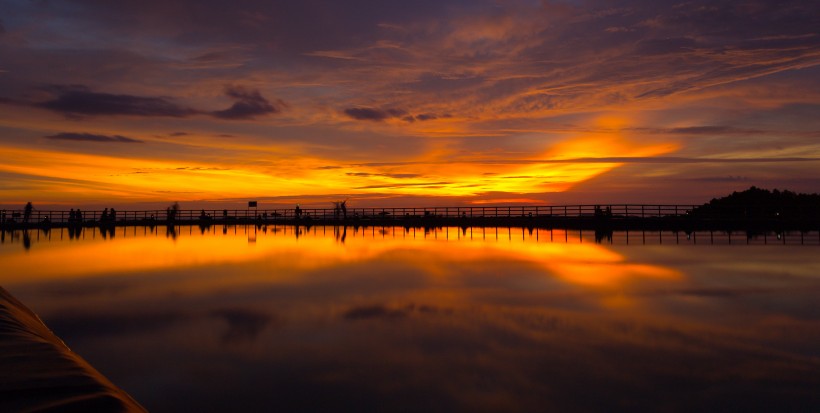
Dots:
{"x": 79, "y": 101}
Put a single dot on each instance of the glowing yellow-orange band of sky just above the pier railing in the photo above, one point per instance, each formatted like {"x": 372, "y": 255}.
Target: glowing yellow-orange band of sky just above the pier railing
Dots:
{"x": 65, "y": 176}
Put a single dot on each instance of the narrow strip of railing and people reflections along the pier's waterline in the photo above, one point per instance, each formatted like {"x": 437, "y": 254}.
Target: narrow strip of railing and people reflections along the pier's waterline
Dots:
{"x": 350, "y": 233}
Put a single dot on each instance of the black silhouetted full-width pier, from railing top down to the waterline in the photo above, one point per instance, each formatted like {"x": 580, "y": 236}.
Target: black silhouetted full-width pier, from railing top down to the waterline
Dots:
{"x": 599, "y": 217}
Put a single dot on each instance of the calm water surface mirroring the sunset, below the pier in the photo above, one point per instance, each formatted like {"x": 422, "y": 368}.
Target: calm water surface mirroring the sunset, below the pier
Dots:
{"x": 325, "y": 319}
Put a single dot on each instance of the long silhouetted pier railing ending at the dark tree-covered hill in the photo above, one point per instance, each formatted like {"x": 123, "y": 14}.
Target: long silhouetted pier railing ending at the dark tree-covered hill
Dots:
{"x": 327, "y": 214}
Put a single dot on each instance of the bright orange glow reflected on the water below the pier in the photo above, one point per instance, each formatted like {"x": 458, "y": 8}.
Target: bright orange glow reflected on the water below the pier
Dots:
{"x": 279, "y": 253}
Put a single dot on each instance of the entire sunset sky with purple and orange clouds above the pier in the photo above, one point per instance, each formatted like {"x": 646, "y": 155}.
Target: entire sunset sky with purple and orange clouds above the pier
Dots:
{"x": 393, "y": 103}
